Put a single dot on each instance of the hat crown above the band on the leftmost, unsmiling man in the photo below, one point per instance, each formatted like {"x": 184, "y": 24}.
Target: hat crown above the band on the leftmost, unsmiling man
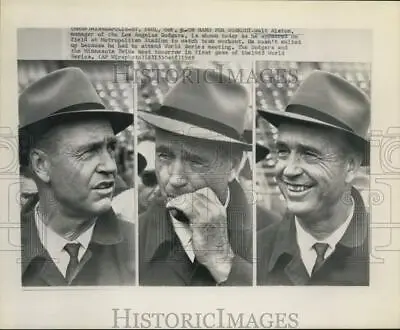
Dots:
{"x": 61, "y": 89}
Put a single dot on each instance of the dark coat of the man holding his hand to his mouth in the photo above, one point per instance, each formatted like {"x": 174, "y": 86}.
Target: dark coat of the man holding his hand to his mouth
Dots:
{"x": 163, "y": 261}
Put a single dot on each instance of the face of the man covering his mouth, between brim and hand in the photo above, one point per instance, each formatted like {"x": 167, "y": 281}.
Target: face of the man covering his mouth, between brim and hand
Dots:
{"x": 184, "y": 165}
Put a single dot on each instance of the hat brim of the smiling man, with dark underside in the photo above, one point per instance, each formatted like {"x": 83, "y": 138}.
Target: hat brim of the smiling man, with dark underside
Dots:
{"x": 278, "y": 117}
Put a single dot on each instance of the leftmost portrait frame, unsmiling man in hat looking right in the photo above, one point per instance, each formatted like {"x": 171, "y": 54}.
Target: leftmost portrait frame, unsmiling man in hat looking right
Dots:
{"x": 76, "y": 157}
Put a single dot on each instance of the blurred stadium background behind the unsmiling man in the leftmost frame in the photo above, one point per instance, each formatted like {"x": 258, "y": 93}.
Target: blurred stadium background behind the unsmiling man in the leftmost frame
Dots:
{"x": 116, "y": 93}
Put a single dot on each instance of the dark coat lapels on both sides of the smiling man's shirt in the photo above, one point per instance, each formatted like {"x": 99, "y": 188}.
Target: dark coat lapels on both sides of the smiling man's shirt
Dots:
{"x": 355, "y": 234}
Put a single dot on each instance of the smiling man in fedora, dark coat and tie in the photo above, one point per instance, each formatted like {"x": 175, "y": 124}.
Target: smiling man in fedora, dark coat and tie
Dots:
{"x": 322, "y": 142}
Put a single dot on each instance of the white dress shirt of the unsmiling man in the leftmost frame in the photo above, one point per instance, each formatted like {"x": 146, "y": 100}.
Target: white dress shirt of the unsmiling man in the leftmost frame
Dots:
{"x": 54, "y": 243}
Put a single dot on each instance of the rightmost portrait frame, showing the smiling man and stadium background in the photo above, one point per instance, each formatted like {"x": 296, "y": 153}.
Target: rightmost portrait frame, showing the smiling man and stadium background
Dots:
{"x": 314, "y": 119}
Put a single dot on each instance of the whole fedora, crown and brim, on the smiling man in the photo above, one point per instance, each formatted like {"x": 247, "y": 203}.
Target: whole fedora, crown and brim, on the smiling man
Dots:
{"x": 328, "y": 100}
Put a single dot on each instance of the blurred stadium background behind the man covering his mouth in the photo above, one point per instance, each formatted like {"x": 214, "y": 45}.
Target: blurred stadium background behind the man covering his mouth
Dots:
{"x": 154, "y": 80}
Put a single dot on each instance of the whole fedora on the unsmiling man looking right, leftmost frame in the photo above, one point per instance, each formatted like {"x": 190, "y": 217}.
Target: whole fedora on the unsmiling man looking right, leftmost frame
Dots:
{"x": 61, "y": 94}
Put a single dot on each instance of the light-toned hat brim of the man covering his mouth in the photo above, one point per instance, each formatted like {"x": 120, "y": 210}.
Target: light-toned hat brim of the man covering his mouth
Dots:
{"x": 190, "y": 130}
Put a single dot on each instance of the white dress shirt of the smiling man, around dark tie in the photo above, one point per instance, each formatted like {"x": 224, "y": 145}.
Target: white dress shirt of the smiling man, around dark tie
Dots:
{"x": 306, "y": 241}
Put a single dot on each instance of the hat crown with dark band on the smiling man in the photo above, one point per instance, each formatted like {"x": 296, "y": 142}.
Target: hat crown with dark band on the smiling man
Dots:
{"x": 331, "y": 98}
